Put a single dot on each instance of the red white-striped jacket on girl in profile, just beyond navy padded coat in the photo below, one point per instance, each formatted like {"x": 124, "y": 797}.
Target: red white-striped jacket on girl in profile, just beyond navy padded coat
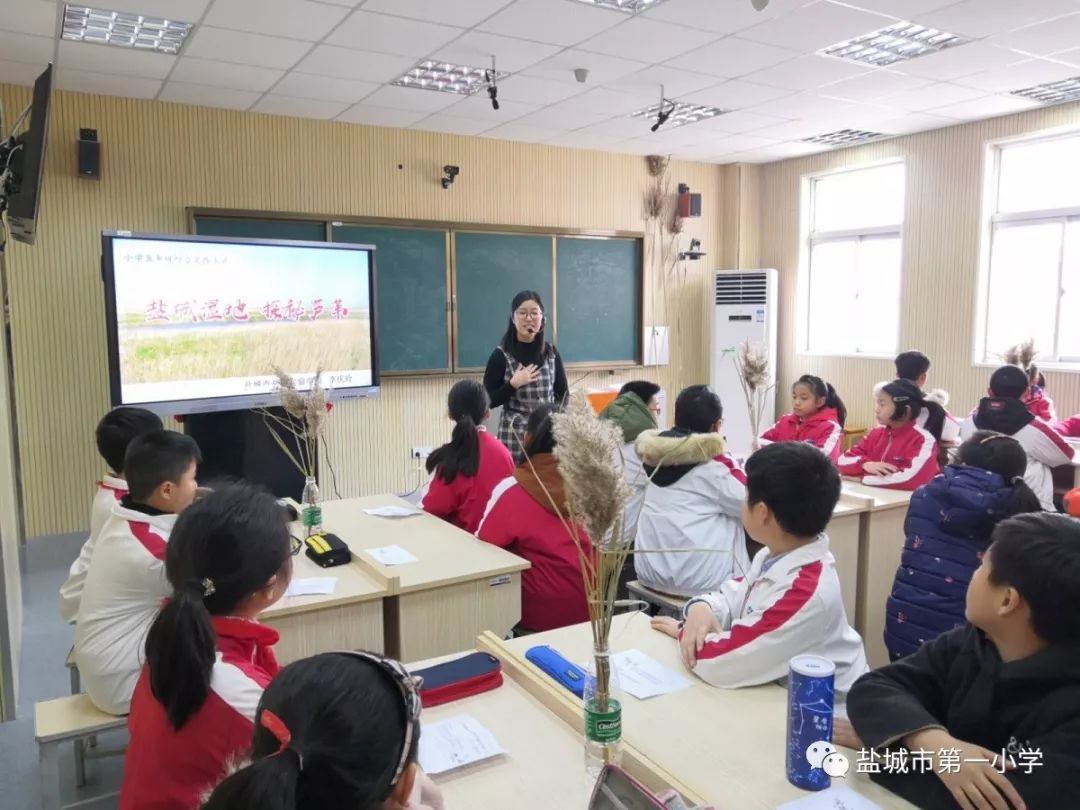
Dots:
{"x": 910, "y": 448}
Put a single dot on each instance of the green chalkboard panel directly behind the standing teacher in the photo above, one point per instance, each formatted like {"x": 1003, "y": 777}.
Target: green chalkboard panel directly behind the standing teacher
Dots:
{"x": 492, "y": 269}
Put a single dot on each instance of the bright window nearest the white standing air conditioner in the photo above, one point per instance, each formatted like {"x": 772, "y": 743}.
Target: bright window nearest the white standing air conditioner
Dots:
{"x": 854, "y": 245}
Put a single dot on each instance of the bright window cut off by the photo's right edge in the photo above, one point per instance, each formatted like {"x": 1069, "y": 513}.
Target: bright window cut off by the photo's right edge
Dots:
{"x": 1032, "y": 288}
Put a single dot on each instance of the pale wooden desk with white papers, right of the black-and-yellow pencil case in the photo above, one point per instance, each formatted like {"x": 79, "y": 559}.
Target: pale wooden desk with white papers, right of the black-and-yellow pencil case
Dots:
{"x": 458, "y": 588}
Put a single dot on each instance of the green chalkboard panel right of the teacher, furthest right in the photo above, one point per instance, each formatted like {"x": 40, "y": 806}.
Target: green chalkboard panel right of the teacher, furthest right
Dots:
{"x": 600, "y": 300}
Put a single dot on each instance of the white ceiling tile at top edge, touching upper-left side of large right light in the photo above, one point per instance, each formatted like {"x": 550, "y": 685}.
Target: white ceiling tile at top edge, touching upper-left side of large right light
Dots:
{"x": 816, "y": 26}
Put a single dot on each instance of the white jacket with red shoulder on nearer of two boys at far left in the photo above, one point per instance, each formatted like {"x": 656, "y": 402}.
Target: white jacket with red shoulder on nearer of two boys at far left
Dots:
{"x": 121, "y": 598}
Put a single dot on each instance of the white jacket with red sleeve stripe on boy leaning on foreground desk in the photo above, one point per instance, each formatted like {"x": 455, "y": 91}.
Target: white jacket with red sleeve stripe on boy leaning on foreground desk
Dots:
{"x": 788, "y": 605}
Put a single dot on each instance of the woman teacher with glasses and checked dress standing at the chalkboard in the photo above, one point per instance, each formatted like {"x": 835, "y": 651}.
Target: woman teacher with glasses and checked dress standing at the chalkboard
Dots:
{"x": 524, "y": 372}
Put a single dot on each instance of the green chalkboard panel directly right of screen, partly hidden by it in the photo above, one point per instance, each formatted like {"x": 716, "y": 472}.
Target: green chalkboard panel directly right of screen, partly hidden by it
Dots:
{"x": 412, "y": 274}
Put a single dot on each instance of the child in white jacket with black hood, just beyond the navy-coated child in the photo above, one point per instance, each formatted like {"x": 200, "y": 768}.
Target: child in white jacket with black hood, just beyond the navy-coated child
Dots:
{"x": 1004, "y": 412}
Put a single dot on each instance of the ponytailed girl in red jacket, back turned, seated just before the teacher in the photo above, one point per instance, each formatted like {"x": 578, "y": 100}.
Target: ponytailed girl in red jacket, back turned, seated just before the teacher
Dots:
{"x": 467, "y": 469}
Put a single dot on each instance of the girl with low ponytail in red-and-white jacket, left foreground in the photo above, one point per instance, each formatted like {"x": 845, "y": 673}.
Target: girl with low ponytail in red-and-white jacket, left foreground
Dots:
{"x": 208, "y": 659}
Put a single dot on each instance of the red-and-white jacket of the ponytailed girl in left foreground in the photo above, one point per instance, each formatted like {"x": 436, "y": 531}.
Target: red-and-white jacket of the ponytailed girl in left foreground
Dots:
{"x": 167, "y": 769}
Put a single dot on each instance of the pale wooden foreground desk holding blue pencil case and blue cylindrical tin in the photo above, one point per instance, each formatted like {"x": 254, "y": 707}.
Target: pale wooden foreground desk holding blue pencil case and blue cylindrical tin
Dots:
{"x": 726, "y": 746}
